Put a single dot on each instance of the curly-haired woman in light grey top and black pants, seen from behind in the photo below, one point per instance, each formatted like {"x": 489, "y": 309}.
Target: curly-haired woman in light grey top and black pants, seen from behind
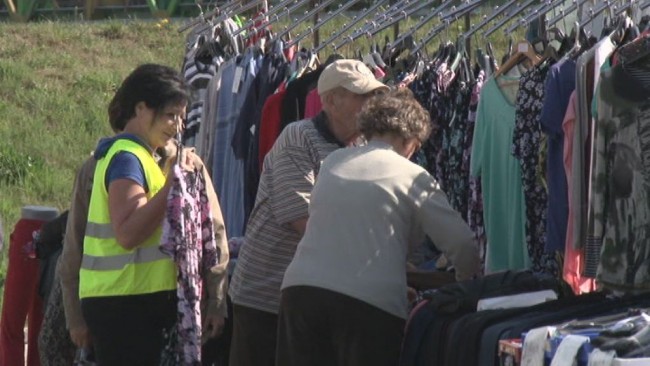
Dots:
{"x": 344, "y": 294}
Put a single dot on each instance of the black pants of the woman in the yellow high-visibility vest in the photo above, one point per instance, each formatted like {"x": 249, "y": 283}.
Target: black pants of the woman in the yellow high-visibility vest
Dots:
{"x": 128, "y": 330}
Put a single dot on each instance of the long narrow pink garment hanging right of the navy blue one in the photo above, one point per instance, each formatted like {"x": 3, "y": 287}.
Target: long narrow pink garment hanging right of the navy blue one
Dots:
{"x": 574, "y": 260}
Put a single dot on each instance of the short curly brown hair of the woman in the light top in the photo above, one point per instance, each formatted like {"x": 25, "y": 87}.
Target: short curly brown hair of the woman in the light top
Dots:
{"x": 397, "y": 113}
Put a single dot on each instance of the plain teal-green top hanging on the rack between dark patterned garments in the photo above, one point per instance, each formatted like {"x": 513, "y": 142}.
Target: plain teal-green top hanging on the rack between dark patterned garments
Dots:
{"x": 503, "y": 196}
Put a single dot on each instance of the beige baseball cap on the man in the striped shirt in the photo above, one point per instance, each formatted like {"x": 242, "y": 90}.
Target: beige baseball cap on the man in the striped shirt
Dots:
{"x": 352, "y": 75}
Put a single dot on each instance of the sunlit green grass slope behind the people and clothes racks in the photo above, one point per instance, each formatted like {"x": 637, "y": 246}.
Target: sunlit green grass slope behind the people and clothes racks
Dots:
{"x": 56, "y": 79}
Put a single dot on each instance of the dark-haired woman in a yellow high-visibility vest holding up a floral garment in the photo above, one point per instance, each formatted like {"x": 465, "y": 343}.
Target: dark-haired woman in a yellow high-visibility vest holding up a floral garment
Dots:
{"x": 126, "y": 285}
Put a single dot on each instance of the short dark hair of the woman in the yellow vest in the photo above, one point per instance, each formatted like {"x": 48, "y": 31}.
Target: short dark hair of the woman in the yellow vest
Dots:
{"x": 157, "y": 86}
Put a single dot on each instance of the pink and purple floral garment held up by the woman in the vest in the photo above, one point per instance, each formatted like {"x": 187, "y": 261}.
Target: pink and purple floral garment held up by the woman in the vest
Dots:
{"x": 188, "y": 236}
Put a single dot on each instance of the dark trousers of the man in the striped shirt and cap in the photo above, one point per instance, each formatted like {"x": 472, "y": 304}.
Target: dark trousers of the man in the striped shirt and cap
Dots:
{"x": 254, "y": 337}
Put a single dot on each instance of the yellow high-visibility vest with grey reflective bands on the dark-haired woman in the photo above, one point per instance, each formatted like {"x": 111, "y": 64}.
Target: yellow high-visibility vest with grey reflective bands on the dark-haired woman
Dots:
{"x": 107, "y": 269}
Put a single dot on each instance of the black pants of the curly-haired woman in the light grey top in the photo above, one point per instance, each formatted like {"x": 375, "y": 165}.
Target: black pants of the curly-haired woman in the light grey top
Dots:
{"x": 318, "y": 327}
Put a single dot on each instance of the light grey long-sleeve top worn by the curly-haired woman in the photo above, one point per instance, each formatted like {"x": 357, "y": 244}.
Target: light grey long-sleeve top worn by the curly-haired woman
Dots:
{"x": 381, "y": 205}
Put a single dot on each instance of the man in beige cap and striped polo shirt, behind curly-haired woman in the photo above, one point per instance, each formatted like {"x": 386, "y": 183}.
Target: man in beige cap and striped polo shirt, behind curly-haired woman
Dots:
{"x": 279, "y": 217}
